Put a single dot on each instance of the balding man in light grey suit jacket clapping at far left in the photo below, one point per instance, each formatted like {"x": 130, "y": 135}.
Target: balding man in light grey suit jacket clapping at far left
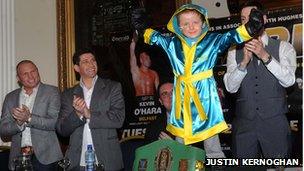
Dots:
{"x": 29, "y": 115}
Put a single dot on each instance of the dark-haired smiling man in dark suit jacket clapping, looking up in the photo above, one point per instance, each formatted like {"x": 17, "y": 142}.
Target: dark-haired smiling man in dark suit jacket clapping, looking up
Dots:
{"x": 90, "y": 114}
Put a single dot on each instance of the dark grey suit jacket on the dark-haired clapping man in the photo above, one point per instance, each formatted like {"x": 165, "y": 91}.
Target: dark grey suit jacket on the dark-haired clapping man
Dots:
{"x": 107, "y": 114}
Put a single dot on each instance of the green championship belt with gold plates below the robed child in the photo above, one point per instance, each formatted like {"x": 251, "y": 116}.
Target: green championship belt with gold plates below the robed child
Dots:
{"x": 168, "y": 155}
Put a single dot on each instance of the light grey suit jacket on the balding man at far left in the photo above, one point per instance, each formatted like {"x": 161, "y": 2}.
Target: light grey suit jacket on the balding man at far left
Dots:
{"x": 44, "y": 116}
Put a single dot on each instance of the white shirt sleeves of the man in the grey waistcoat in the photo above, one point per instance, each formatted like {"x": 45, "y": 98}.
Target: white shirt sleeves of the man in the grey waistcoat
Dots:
{"x": 284, "y": 70}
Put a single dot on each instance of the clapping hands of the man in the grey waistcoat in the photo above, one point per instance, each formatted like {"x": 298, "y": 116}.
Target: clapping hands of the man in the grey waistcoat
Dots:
{"x": 256, "y": 46}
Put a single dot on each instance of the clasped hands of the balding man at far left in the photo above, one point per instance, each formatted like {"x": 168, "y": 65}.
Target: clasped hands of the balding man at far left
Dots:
{"x": 21, "y": 114}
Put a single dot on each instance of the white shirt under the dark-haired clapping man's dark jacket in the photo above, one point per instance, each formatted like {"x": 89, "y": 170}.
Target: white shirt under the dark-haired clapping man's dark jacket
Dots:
{"x": 87, "y": 136}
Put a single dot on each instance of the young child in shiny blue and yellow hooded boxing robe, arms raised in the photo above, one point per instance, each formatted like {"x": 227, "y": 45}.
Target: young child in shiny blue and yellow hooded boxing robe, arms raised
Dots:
{"x": 196, "y": 110}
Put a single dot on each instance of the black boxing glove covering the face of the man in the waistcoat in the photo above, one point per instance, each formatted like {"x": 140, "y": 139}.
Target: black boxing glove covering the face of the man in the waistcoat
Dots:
{"x": 255, "y": 23}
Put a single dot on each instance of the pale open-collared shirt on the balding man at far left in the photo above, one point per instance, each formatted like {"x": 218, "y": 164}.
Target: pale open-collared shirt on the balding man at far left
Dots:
{"x": 28, "y": 101}
